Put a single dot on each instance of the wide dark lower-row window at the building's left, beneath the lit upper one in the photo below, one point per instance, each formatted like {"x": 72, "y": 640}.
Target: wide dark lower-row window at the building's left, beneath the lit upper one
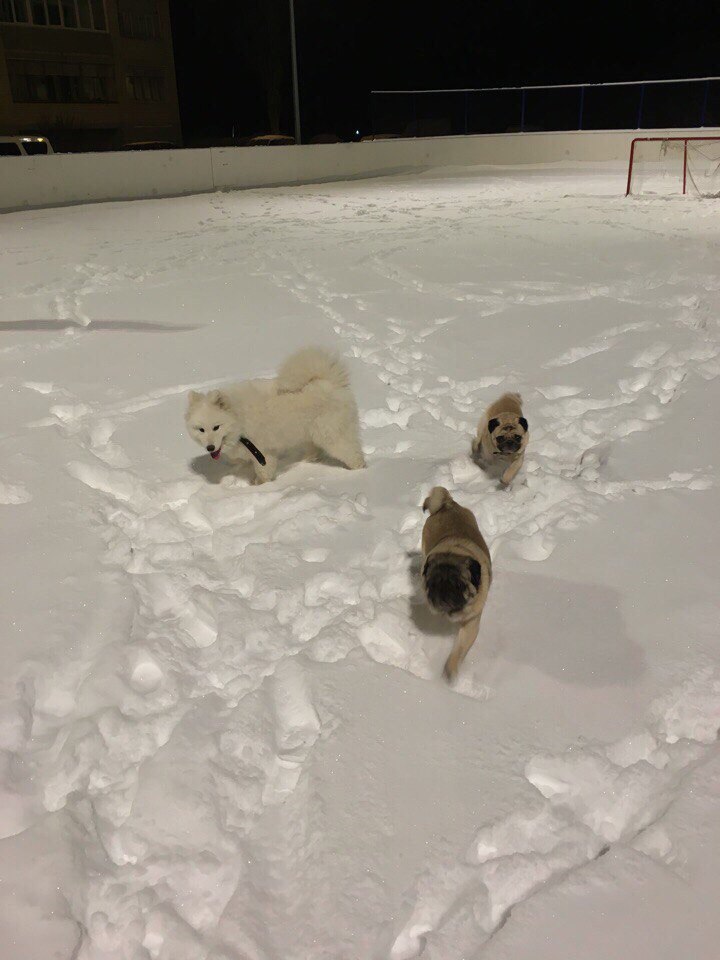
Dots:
{"x": 36, "y": 81}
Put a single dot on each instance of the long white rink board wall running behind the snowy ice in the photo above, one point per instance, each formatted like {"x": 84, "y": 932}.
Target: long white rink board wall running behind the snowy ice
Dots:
{"x": 69, "y": 178}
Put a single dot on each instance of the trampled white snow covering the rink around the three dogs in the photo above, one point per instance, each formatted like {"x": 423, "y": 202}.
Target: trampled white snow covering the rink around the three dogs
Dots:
{"x": 225, "y": 732}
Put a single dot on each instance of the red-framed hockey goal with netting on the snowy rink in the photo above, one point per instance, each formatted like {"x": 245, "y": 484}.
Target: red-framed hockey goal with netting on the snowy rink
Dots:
{"x": 664, "y": 166}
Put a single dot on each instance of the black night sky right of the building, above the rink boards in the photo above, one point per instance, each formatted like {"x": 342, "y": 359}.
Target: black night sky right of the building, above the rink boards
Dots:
{"x": 233, "y": 62}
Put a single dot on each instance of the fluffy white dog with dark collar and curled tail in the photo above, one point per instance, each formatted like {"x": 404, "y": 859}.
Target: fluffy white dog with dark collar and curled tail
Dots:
{"x": 308, "y": 403}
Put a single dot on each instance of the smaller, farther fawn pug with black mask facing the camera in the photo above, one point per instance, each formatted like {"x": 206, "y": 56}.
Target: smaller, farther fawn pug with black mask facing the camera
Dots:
{"x": 502, "y": 435}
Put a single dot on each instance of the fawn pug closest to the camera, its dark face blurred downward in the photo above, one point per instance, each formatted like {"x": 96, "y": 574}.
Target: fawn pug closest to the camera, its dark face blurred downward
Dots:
{"x": 456, "y": 570}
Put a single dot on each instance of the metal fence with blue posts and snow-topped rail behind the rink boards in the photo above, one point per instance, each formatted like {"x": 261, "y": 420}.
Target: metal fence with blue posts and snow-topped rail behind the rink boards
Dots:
{"x": 631, "y": 105}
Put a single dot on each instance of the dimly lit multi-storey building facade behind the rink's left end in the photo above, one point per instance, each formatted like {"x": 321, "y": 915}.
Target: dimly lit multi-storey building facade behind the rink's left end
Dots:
{"x": 88, "y": 74}
